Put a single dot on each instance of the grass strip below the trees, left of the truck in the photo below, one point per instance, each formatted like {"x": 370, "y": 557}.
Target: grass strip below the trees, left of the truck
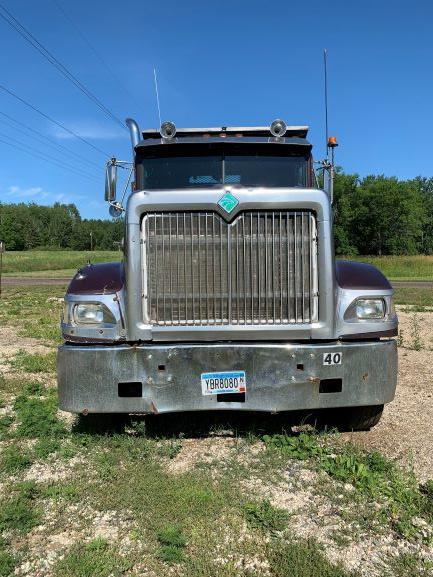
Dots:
{"x": 47, "y": 260}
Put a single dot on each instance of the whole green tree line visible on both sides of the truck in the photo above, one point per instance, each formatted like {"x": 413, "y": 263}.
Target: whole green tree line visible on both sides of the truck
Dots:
{"x": 374, "y": 215}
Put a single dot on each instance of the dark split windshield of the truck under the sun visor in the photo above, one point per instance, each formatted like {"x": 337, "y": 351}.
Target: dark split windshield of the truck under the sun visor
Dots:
{"x": 216, "y": 170}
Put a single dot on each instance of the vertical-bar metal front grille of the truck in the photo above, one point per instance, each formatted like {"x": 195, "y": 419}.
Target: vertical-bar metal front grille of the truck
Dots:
{"x": 261, "y": 269}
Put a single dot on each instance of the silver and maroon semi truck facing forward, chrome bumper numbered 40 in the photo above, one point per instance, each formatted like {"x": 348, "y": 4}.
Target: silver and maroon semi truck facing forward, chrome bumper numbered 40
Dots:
{"x": 229, "y": 296}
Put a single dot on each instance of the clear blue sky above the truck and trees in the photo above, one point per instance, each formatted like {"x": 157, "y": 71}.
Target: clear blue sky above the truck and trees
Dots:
{"x": 219, "y": 63}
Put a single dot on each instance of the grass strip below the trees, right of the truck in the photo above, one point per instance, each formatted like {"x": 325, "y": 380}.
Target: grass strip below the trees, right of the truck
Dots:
{"x": 417, "y": 267}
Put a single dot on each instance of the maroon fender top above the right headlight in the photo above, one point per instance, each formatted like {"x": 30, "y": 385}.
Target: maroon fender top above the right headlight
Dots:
{"x": 360, "y": 276}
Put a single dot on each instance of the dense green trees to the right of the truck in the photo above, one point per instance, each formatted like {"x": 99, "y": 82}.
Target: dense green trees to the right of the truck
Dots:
{"x": 379, "y": 215}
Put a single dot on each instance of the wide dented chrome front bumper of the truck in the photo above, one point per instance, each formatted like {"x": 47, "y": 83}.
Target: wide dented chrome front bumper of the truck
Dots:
{"x": 161, "y": 378}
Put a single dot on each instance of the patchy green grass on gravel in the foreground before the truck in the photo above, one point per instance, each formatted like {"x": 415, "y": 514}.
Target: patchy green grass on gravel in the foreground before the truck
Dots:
{"x": 186, "y": 519}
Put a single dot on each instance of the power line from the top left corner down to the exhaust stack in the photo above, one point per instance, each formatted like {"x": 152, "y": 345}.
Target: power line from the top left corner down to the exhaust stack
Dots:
{"x": 33, "y": 41}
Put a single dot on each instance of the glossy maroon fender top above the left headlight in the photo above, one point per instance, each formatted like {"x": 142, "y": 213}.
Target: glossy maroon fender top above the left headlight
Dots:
{"x": 101, "y": 278}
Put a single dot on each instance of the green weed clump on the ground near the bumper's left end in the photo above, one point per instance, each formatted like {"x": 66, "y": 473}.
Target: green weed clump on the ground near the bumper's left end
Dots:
{"x": 38, "y": 417}
